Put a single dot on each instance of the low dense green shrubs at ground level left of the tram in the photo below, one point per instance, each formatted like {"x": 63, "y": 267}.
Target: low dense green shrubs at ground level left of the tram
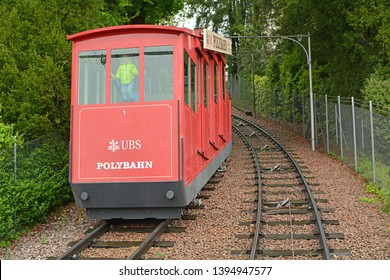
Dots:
{"x": 40, "y": 185}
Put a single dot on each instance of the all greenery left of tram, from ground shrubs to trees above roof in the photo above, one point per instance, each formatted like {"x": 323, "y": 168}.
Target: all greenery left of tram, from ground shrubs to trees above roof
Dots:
{"x": 35, "y": 67}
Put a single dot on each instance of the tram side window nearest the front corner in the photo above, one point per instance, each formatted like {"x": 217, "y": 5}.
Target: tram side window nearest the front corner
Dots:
{"x": 189, "y": 81}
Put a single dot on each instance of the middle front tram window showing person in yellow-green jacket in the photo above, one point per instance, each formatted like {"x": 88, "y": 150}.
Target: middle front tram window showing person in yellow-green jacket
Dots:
{"x": 124, "y": 75}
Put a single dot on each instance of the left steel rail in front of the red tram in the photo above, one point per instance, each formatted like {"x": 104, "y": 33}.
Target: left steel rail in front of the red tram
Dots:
{"x": 85, "y": 242}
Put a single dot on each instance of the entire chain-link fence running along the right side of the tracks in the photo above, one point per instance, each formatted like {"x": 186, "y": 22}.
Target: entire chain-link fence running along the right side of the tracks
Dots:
{"x": 356, "y": 132}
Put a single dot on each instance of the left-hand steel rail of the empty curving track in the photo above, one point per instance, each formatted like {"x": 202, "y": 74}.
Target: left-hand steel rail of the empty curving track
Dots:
{"x": 259, "y": 215}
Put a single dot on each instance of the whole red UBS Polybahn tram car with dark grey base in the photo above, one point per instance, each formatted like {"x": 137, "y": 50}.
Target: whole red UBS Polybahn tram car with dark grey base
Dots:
{"x": 146, "y": 151}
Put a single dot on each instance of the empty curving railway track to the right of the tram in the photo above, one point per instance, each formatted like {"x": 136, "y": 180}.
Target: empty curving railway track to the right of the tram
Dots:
{"x": 286, "y": 211}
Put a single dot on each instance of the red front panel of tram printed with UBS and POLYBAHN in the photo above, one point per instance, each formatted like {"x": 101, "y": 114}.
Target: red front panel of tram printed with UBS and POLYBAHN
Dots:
{"x": 125, "y": 144}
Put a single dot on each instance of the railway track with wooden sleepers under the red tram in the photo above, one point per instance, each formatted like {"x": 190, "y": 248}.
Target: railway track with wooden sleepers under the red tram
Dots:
{"x": 134, "y": 239}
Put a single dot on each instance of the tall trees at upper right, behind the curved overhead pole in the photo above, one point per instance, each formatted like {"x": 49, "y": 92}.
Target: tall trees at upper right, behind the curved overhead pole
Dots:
{"x": 349, "y": 40}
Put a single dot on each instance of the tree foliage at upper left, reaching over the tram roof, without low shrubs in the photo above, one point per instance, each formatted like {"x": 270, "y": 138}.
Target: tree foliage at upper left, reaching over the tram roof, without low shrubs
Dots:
{"x": 35, "y": 55}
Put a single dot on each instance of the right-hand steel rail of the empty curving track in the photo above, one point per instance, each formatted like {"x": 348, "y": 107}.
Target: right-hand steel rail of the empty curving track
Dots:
{"x": 317, "y": 216}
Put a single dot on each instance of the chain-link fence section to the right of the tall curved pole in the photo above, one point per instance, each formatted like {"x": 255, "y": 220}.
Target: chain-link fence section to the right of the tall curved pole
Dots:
{"x": 358, "y": 133}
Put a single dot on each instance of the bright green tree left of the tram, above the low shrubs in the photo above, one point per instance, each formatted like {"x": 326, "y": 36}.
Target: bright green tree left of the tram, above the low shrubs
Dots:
{"x": 34, "y": 80}
